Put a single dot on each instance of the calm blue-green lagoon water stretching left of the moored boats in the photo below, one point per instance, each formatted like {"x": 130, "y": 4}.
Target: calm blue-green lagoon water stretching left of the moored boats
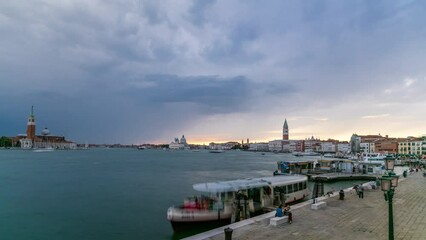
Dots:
{"x": 111, "y": 193}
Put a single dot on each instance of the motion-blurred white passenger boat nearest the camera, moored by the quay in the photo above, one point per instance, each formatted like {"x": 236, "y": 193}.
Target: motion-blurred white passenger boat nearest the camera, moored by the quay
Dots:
{"x": 231, "y": 201}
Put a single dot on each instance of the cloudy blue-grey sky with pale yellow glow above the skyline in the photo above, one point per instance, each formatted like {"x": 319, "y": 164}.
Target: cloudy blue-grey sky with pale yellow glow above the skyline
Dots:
{"x": 135, "y": 71}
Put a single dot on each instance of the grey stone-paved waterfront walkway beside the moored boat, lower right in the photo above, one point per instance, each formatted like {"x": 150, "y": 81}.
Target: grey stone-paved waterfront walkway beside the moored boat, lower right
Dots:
{"x": 353, "y": 218}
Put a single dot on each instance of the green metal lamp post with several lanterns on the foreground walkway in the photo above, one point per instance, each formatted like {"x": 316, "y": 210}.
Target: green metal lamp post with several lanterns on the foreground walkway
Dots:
{"x": 388, "y": 184}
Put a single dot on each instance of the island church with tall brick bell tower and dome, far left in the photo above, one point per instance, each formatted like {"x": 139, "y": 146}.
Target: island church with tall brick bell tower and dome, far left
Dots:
{"x": 45, "y": 140}
